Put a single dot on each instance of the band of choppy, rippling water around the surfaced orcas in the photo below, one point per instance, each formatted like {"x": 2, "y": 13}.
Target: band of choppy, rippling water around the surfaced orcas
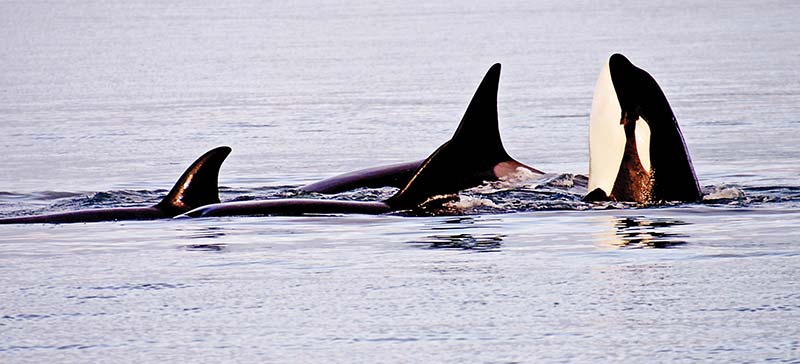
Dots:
{"x": 551, "y": 192}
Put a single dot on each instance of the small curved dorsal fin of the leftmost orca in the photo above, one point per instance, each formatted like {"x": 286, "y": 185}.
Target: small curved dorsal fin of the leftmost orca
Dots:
{"x": 198, "y": 186}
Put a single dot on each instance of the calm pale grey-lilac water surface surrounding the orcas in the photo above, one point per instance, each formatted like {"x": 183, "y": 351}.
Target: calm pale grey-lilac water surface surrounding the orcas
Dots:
{"x": 105, "y": 103}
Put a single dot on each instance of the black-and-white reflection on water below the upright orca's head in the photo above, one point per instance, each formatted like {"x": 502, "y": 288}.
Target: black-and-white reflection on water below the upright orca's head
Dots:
{"x": 637, "y": 232}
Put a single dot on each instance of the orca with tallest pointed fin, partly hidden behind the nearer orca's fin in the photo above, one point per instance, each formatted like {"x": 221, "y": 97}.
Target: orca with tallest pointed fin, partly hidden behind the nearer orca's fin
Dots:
{"x": 476, "y": 147}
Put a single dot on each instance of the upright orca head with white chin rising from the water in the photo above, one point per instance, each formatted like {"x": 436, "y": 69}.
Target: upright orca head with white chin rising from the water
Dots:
{"x": 636, "y": 149}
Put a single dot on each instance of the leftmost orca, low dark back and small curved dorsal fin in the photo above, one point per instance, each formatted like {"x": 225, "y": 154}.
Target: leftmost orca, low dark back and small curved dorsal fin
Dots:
{"x": 196, "y": 187}
